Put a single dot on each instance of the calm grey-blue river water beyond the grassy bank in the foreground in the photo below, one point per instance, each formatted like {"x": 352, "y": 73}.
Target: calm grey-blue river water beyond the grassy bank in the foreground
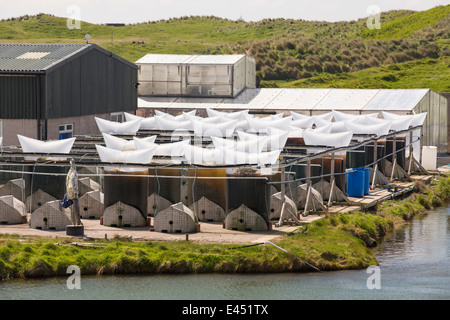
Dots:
{"x": 414, "y": 264}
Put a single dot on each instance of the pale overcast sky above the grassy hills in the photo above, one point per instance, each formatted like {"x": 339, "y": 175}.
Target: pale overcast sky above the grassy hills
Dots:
{"x": 134, "y": 11}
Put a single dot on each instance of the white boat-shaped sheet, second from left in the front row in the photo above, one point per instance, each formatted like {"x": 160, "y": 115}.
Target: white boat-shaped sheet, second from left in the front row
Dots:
{"x": 116, "y": 156}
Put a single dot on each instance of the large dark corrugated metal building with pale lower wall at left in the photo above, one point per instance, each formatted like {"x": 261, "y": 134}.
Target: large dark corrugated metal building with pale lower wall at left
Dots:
{"x": 51, "y": 91}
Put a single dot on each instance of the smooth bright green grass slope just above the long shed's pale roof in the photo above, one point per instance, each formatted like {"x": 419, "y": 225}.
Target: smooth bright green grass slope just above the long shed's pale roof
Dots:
{"x": 424, "y": 73}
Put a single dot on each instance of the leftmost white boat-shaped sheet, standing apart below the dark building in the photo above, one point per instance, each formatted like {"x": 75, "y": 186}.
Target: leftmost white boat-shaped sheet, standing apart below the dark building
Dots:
{"x": 30, "y": 145}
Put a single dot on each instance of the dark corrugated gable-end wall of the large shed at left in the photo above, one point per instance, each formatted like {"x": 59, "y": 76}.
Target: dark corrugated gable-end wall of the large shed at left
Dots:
{"x": 91, "y": 84}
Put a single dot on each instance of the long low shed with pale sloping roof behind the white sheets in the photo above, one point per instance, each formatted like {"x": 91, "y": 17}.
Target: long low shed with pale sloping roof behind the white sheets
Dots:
{"x": 266, "y": 101}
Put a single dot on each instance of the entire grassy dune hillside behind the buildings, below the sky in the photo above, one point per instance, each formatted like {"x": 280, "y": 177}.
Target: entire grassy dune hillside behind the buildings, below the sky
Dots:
{"x": 344, "y": 54}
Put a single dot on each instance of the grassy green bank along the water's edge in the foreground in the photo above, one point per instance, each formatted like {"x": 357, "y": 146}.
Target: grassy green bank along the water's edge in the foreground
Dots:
{"x": 340, "y": 241}
